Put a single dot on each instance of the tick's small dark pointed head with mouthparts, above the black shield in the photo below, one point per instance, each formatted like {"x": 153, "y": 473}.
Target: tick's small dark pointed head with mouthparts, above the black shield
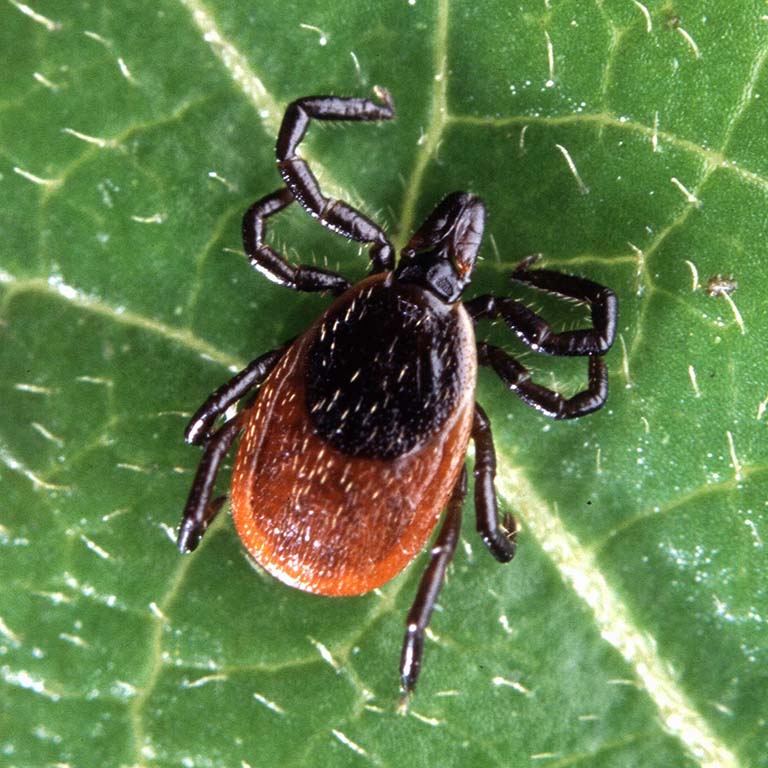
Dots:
{"x": 442, "y": 253}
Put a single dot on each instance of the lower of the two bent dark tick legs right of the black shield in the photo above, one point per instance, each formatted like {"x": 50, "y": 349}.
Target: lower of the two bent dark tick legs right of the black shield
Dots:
{"x": 518, "y": 378}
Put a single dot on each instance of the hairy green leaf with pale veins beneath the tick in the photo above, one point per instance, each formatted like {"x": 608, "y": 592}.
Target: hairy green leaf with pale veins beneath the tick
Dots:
{"x": 626, "y": 142}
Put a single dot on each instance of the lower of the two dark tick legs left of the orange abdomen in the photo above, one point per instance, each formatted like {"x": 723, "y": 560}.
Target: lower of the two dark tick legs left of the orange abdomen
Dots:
{"x": 200, "y": 510}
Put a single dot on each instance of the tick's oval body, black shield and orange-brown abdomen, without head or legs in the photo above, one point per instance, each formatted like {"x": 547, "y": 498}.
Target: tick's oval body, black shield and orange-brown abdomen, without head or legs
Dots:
{"x": 334, "y": 491}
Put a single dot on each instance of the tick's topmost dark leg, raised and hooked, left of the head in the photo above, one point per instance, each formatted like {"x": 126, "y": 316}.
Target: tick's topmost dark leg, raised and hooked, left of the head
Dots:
{"x": 336, "y": 215}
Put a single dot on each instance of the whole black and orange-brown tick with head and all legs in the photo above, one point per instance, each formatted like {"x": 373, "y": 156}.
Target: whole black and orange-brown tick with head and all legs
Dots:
{"x": 357, "y": 437}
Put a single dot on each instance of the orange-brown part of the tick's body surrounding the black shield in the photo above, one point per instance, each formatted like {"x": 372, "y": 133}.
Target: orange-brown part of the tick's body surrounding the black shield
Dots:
{"x": 329, "y": 522}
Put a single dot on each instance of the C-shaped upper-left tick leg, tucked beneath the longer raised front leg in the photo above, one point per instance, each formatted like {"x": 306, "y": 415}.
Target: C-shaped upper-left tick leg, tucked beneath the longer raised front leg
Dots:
{"x": 271, "y": 264}
